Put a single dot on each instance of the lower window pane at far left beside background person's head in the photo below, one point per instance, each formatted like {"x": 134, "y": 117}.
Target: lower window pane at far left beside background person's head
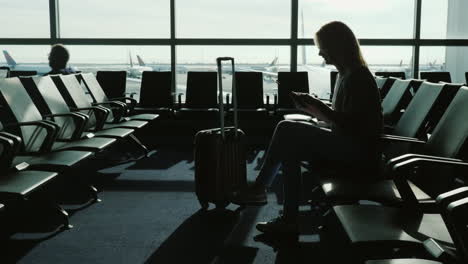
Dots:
{"x": 26, "y": 58}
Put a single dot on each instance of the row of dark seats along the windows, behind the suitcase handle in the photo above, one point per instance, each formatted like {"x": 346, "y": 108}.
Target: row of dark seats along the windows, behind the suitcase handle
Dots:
{"x": 201, "y": 96}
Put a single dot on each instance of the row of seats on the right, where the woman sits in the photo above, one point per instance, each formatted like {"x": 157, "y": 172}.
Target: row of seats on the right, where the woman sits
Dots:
{"x": 421, "y": 194}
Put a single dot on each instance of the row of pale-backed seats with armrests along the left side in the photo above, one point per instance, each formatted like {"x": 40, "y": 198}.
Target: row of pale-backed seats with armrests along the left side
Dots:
{"x": 53, "y": 127}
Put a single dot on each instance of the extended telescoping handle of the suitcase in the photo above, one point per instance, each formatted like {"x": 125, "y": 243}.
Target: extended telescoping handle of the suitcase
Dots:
{"x": 220, "y": 96}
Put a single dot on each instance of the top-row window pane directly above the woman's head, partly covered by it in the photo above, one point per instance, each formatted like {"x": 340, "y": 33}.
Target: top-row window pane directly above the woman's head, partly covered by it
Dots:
{"x": 367, "y": 18}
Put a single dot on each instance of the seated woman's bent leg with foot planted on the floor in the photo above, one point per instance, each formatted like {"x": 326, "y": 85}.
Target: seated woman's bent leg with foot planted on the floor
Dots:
{"x": 305, "y": 142}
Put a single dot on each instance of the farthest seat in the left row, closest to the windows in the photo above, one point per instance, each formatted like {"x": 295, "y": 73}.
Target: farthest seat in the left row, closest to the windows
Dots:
{"x": 100, "y": 98}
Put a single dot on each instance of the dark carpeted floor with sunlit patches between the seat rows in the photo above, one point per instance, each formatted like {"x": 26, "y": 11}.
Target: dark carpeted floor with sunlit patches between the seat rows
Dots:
{"x": 149, "y": 214}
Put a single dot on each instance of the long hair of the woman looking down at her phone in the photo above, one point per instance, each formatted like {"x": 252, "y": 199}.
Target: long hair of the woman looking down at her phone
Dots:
{"x": 339, "y": 41}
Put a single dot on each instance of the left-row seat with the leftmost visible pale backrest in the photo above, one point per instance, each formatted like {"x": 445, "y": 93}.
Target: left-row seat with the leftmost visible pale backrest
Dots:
{"x": 20, "y": 112}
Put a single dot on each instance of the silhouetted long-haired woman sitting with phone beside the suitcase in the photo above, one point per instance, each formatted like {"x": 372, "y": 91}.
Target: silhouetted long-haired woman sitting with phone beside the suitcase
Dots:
{"x": 355, "y": 119}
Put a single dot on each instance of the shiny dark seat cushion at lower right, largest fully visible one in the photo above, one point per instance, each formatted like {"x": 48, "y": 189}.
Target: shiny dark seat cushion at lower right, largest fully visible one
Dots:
{"x": 392, "y": 227}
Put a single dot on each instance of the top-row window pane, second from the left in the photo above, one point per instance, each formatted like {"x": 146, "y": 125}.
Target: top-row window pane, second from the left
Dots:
{"x": 114, "y": 19}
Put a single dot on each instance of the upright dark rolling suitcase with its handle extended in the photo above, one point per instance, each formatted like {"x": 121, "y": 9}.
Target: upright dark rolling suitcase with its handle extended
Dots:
{"x": 220, "y": 160}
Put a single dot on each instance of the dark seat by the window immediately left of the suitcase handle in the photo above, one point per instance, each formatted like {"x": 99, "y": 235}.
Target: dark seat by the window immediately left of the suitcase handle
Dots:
{"x": 201, "y": 100}
